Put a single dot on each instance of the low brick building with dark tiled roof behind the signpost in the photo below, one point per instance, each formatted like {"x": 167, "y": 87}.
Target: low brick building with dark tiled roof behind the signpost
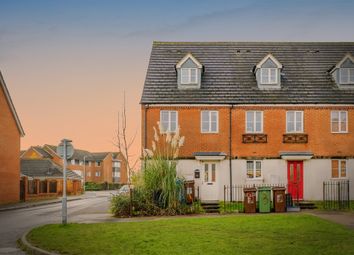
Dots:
{"x": 42, "y": 178}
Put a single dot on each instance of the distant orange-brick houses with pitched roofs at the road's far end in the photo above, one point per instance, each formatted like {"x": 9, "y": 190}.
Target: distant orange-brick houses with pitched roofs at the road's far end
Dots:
{"x": 101, "y": 167}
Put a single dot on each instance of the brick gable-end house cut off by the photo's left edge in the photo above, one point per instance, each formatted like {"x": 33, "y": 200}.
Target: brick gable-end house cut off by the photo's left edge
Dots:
{"x": 10, "y": 133}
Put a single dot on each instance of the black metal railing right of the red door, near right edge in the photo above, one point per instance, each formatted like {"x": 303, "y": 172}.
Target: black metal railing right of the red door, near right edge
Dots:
{"x": 336, "y": 195}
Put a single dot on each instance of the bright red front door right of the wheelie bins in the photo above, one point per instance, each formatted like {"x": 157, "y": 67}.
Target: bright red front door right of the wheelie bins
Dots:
{"x": 296, "y": 179}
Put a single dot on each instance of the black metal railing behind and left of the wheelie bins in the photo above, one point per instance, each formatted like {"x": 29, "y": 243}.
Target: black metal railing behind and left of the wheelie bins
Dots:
{"x": 234, "y": 196}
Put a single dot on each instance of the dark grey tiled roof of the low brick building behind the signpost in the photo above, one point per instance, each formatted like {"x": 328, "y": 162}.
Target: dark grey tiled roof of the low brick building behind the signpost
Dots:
{"x": 44, "y": 168}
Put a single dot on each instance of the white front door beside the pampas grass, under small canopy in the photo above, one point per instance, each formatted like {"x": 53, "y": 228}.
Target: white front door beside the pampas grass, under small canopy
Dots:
{"x": 209, "y": 189}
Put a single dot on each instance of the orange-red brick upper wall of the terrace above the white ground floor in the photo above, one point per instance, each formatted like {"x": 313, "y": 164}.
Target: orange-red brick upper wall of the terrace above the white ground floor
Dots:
{"x": 317, "y": 125}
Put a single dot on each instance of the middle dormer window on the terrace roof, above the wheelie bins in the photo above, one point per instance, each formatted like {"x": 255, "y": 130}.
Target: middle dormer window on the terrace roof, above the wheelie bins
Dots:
{"x": 268, "y": 73}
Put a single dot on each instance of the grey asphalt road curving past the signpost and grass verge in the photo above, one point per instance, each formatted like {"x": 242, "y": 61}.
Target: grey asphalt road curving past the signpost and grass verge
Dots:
{"x": 94, "y": 208}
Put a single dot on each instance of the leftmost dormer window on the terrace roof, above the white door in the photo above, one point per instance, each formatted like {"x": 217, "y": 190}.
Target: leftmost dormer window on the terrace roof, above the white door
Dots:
{"x": 189, "y": 72}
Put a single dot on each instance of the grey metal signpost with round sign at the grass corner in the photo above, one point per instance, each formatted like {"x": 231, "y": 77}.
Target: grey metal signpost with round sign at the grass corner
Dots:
{"x": 65, "y": 150}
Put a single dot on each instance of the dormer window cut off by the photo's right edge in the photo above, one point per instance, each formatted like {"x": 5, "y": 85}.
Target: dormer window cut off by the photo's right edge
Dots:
{"x": 343, "y": 72}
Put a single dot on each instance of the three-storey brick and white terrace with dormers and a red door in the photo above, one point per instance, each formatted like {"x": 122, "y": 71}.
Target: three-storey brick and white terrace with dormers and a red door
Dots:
{"x": 255, "y": 113}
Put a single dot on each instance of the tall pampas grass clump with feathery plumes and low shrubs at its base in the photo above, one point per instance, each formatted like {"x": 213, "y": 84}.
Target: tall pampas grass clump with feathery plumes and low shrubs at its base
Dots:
{"x": 158, "y": 190}
